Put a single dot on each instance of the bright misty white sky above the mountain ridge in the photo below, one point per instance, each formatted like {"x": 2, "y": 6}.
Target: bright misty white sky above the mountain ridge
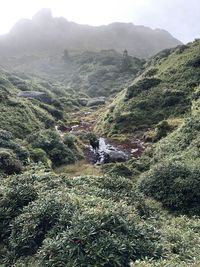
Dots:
{"x": 180, "y": 17}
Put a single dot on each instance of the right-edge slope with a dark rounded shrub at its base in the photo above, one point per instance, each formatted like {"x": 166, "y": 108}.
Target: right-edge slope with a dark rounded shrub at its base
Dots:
{"x": 174, "y": 177}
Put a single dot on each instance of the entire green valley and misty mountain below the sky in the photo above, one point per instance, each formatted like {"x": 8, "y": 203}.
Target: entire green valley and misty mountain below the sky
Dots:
{"x": 99, "y": 147}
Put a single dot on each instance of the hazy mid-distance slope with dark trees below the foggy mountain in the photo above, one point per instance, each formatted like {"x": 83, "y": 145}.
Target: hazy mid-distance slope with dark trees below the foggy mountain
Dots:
{"x": 94, "y": 73}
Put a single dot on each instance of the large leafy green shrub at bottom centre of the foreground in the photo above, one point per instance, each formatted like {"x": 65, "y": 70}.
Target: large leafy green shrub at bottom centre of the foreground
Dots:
{"x": 102, "y": 239}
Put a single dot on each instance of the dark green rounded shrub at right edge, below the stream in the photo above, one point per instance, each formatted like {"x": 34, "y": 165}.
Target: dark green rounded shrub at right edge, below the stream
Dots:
{"x": 176, "y": 184}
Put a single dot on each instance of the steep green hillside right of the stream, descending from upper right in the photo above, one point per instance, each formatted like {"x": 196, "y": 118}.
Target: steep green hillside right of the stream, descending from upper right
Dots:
{"x": 163, "y": 90}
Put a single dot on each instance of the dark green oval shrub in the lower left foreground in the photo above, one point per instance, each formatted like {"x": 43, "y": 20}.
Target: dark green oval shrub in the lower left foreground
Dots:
{"x": 29, "y": 229}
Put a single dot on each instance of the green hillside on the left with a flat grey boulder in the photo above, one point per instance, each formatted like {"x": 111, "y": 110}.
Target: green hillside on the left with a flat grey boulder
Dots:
{"x": 23, "y": 115}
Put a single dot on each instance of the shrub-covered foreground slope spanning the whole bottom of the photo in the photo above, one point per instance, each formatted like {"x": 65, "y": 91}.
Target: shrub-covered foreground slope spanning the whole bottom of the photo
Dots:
{"x": 51, "y": 220}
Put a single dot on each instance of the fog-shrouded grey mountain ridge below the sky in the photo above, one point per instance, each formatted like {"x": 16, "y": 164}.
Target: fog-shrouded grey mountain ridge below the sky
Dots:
{"x": 44, "y": 32}
